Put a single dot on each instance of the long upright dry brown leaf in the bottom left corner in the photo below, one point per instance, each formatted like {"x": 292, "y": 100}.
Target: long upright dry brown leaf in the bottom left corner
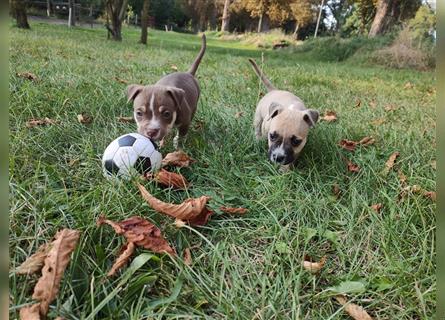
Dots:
{"x": 56, "y": 261}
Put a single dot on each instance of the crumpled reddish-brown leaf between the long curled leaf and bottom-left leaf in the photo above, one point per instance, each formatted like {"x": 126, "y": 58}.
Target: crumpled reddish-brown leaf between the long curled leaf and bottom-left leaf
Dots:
{"x": 143, "y": 233}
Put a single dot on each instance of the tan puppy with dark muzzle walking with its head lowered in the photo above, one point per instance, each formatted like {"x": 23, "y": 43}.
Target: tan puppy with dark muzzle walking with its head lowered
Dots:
{"x": 282, "y": 117}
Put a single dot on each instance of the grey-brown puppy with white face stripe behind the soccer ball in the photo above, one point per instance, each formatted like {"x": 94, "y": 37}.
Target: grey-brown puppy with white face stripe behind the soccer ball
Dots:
{"x": 170, "y": 102}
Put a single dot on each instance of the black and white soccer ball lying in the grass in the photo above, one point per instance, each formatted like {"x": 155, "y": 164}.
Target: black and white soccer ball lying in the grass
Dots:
{"x": 130, "y": 154}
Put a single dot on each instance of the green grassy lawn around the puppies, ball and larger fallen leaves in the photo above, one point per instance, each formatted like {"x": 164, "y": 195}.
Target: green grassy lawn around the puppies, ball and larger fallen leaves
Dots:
{"x": 244, "y": 267}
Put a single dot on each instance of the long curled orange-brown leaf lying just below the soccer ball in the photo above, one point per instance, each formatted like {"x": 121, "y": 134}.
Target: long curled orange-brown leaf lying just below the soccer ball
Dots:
{"x": 193, "y": 211}
